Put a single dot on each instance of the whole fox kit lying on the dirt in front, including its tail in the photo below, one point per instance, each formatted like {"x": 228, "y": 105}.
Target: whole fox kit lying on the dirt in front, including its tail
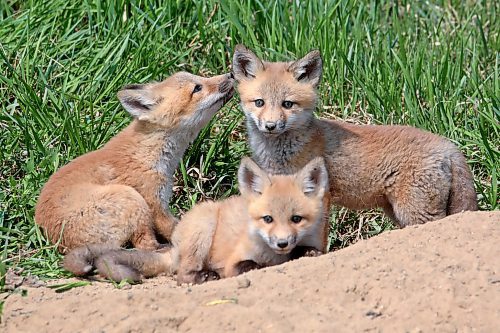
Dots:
{"x": 273, "y": 216}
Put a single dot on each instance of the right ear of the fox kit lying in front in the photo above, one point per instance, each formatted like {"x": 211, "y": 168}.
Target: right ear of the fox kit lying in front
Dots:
{"x": 314, "y": 178}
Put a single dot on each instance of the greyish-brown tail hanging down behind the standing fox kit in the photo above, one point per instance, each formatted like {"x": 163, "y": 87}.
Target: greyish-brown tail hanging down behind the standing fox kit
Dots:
{"x": 462, "y": 194}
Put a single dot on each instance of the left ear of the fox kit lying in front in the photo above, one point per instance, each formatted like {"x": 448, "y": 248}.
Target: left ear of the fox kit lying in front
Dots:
{"x": 251, "y": 178}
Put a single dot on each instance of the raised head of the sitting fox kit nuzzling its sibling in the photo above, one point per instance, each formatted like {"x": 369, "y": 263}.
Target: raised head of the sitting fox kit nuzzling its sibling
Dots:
{"x": 183, "y": 100}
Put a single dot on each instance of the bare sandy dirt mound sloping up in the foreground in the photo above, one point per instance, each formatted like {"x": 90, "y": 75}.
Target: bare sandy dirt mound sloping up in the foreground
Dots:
{"x": 442, "y": 276}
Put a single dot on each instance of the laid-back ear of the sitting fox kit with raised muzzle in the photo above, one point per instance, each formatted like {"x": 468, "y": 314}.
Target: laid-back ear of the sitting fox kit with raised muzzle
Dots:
{"x": 137, "y": 99}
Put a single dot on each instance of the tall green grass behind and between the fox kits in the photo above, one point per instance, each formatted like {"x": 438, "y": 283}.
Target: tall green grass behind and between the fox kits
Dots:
{"x": 433, "y": 65}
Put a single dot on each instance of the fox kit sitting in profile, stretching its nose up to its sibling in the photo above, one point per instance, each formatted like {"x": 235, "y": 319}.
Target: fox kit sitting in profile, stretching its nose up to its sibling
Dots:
{"x": 120, "y": 193}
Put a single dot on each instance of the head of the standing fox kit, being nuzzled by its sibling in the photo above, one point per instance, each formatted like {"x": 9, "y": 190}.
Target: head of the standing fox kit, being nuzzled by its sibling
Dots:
{"x": 277, "y": 96}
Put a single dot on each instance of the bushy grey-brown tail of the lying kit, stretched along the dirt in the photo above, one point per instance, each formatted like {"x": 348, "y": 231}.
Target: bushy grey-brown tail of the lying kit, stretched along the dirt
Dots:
{"x": 117, "y": 264}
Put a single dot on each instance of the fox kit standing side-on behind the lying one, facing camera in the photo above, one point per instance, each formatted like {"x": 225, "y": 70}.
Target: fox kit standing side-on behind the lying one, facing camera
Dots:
{"x": 415, "y": 176}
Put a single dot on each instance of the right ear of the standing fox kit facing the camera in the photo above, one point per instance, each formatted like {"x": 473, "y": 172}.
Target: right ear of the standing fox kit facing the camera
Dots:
{"x": 308, "y": 69}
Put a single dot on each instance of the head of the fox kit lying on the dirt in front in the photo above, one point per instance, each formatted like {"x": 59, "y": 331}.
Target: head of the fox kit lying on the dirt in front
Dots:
{"x": 284, "y": 208}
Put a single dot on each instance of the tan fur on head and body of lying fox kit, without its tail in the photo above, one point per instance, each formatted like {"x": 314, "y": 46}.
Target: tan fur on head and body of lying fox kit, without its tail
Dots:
{"x": 218, "y": 236}
